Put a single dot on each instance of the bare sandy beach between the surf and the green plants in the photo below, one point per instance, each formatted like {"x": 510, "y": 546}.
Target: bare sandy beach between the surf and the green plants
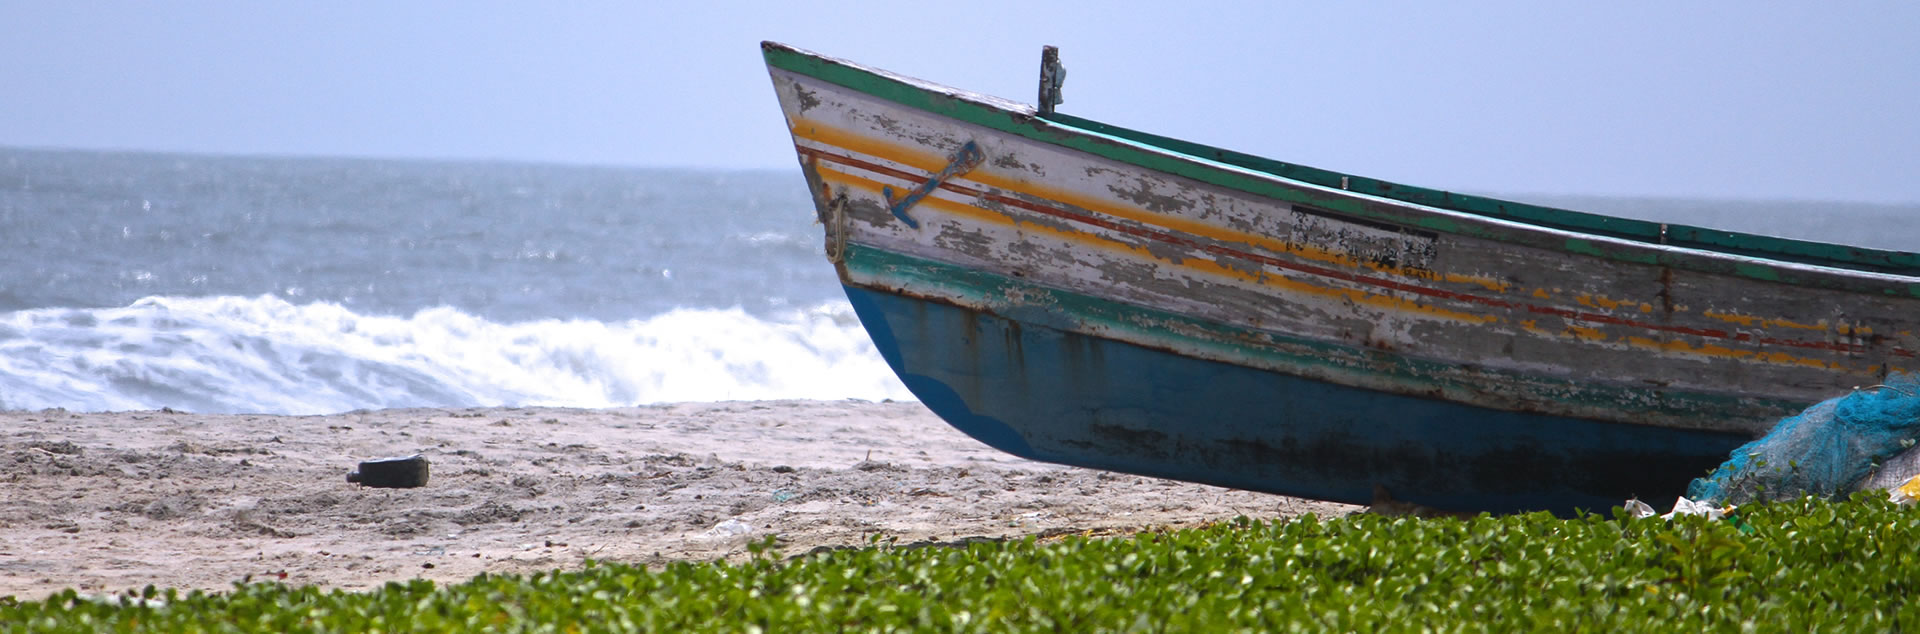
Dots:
{"x": 107, "y": 502}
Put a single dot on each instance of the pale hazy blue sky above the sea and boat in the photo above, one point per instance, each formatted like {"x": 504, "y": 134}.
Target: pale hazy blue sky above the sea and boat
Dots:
{"x": 1668, "y": 99}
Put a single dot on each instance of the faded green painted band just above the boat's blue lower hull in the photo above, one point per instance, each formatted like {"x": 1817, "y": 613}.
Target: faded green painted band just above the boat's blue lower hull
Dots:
{"x": 1218, "y": 341}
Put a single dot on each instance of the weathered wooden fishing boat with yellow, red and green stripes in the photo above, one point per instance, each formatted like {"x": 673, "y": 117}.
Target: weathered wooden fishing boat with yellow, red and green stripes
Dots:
{"x": 1090, "y": 295}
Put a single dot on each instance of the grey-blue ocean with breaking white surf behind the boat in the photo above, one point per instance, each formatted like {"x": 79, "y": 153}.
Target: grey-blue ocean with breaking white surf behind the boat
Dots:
{"x": 304, "y": 285}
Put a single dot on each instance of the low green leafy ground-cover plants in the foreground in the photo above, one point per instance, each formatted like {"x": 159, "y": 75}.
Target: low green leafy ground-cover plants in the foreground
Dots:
{"x": 1787, "y": 566}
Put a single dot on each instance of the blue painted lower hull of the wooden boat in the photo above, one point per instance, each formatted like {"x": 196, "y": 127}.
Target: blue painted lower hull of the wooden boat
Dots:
{"x": 1082, "y": 401}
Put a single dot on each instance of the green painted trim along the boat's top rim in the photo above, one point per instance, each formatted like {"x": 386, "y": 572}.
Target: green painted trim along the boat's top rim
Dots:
{"x": 1222, "y": 168}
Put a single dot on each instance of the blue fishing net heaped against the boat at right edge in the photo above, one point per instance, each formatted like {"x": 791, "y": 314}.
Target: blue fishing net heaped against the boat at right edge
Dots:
{"x": 1823, "y": 451}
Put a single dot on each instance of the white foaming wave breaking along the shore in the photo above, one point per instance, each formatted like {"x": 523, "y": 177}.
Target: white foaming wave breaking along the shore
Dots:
{"x": 231, "y": 354}
